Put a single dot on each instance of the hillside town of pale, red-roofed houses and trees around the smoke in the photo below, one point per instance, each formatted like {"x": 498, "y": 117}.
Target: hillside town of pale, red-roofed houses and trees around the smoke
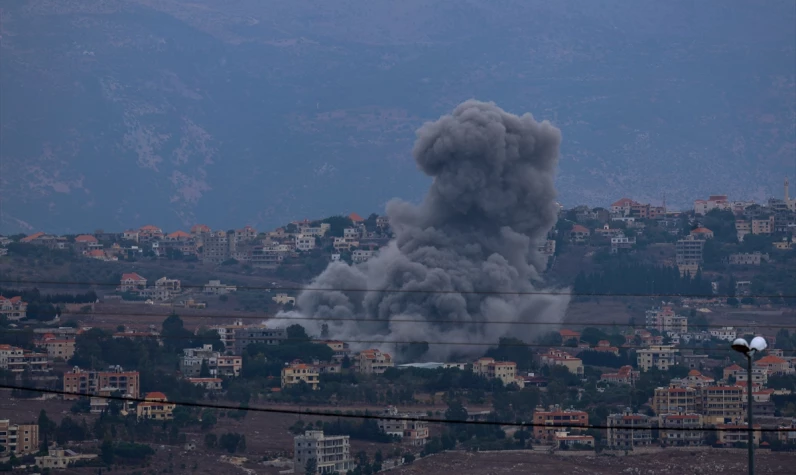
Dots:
{"x": 660, "y": 372}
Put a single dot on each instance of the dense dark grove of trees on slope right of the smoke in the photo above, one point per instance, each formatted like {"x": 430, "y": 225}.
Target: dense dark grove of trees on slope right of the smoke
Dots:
{"x": 624, "y": 278}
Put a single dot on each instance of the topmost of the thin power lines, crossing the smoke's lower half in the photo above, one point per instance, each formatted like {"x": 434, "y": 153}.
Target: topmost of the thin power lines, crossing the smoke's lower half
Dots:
{"x": 417, "y": 291}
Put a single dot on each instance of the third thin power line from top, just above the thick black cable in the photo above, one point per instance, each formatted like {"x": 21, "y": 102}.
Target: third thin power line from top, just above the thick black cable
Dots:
{"x": 415, "y": 342}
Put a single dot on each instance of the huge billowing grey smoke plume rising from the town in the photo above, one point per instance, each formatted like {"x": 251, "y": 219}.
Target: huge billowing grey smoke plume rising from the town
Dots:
{"x": 464, "y": 265}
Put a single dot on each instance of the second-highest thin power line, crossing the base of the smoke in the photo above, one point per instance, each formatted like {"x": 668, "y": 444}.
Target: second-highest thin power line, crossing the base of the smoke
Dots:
{"x": 410, "y": 320}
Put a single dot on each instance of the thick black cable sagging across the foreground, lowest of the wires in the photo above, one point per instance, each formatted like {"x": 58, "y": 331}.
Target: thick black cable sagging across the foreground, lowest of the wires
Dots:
{"x": 362, "y": 416}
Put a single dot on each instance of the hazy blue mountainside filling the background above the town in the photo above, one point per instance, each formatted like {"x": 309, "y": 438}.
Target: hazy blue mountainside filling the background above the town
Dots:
{"x": 121, "y": 113}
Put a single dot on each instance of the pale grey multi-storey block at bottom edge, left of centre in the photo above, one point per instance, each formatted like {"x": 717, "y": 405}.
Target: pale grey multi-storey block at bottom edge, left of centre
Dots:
{"x": 332, "y": 454}
